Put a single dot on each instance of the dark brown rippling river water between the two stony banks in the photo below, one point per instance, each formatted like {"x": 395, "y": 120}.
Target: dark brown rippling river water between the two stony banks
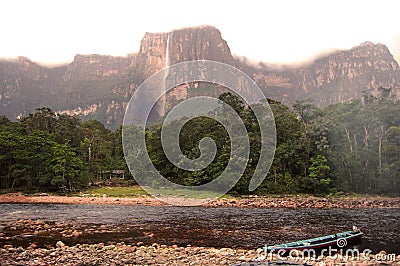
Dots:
{"x": 218, "y": 227}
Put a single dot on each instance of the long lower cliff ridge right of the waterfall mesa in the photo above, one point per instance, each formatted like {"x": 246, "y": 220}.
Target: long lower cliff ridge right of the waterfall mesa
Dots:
{"x": 335, "y": 78}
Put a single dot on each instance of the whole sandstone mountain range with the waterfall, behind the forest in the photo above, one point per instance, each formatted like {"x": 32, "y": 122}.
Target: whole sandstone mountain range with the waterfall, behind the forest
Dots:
{"x": 98, "y": 86}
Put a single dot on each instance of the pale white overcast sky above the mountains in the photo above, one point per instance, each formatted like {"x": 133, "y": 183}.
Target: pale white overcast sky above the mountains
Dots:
{"x": 53, "y": 31}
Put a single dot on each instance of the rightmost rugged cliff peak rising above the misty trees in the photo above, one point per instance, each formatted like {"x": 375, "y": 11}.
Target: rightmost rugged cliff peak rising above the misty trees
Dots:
{"x": 346, "y": 74}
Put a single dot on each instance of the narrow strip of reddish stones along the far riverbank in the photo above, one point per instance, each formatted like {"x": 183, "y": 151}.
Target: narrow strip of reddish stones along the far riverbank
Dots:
{"x": 258, "y": 202}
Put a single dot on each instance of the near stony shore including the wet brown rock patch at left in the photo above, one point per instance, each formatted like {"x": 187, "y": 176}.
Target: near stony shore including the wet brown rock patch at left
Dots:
{"x": 29, "y": 251}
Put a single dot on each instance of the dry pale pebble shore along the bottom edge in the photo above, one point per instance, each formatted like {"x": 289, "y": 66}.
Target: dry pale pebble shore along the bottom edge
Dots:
{"x": 127, "y": 254}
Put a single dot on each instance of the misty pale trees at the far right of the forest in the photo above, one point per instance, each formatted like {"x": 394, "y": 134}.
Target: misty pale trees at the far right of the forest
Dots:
{"x": 361, "y": 141}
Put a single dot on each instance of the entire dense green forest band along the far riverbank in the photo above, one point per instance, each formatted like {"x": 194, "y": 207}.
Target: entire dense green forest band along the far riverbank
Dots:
{"x": 349, "y": 147}
